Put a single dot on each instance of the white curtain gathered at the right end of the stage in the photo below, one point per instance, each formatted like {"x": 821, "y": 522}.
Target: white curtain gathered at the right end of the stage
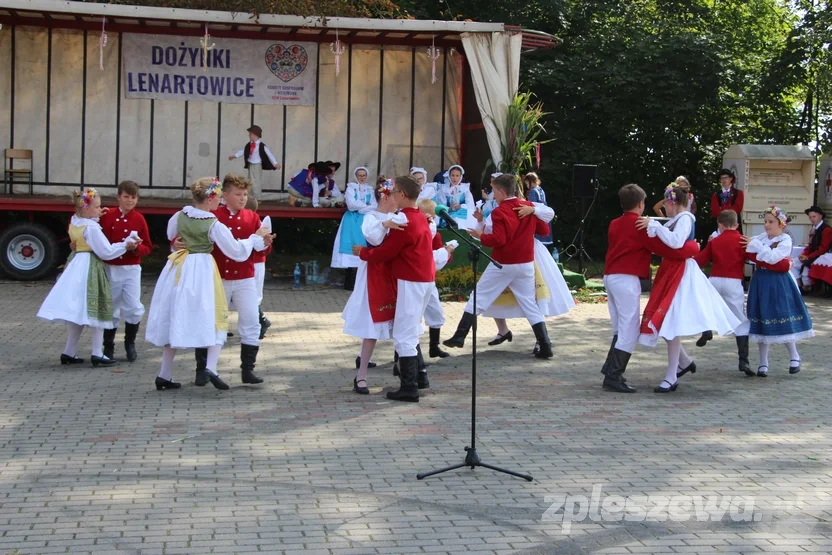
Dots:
{"x": 494, "y": 59}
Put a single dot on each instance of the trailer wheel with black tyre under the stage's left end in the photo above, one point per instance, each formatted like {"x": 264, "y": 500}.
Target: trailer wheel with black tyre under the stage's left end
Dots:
{"x": 28, "y": 251}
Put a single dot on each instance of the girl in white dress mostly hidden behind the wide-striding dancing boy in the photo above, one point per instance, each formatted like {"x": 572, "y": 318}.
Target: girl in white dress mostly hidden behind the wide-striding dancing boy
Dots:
{"x": 552, "y": 293}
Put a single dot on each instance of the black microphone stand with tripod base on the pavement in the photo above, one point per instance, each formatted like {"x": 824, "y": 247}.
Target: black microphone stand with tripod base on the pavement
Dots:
{"x": 472, "y": 458}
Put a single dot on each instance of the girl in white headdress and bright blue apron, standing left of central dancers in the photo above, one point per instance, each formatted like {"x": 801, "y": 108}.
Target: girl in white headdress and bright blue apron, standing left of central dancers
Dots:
{"x": 360, "y": 201}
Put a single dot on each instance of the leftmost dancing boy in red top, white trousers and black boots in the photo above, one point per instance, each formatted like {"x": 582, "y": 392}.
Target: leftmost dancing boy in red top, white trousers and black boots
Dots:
{"x": 125, "y": 271}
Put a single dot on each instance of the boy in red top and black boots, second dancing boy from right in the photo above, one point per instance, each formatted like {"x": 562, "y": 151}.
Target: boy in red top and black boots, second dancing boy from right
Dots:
{"x": 629, "y": 253}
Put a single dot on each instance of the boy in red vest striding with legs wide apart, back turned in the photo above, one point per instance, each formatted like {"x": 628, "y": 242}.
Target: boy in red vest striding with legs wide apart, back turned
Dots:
{"x": 512, "y": 241}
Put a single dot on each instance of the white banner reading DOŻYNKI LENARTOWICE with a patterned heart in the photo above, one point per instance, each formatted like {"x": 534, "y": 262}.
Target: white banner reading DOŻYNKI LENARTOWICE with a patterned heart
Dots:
{"x": 235, "y": 70}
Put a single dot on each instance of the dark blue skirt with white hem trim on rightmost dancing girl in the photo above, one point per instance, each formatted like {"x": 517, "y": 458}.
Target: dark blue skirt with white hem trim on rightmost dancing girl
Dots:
{"x": 776, "y": 309}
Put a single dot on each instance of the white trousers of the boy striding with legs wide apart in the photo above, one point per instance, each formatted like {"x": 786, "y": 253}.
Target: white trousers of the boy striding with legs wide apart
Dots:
{"x": 517, "y": 277}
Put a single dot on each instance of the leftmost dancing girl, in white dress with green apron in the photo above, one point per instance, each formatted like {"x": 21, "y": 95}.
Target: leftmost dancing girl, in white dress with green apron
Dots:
{"x": 82, "y": 297}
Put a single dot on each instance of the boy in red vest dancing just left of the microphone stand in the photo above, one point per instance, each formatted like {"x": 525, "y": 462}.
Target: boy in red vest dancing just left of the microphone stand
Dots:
{"x": 411, "y": 255}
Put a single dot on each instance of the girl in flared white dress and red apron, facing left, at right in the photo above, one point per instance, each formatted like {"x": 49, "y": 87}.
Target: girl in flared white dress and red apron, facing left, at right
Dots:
{"x": 682, "y": 301}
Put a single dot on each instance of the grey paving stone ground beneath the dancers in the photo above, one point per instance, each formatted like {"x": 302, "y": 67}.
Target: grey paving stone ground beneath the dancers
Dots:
{"x": 98, "y": 461}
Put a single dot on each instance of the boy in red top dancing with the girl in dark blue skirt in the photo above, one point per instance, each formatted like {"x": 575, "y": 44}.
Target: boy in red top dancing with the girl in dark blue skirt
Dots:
{"x": 726, "y": 254}
